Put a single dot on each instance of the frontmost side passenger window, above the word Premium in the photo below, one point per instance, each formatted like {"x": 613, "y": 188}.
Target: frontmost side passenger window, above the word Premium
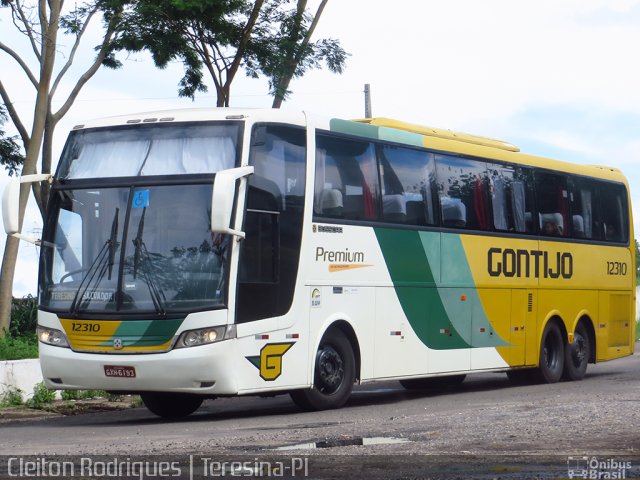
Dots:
{"x": 346, "y": 185}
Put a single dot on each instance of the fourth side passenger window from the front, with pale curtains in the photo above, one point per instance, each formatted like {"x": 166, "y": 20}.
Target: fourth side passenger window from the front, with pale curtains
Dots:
{"x": 511, "y": 198}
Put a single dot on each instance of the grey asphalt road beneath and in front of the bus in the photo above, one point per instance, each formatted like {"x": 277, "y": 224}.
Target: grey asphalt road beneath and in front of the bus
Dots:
{"x": 483, "y": 428}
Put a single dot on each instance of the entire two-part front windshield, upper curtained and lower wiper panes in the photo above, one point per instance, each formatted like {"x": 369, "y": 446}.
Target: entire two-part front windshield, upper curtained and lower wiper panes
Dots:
{"x": 128, "y": 226}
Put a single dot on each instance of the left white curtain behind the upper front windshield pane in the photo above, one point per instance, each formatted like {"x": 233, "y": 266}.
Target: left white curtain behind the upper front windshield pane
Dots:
{"x": 106, "y": 159}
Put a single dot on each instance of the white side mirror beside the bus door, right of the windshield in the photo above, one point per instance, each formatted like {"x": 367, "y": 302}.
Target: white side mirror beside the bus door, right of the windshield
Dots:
{"x": 224, "y": 189}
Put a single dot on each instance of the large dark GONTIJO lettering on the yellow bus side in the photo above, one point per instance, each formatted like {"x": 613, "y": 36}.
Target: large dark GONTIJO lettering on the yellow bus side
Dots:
{"x": 529, "y": 263}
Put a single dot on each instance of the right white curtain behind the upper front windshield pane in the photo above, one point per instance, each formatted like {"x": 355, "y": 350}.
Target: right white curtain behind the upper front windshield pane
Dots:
{"x": 189, "y": 155}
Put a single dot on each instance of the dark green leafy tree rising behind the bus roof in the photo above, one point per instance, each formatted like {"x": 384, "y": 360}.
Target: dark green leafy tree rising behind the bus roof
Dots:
{"x": 221, "y": 36}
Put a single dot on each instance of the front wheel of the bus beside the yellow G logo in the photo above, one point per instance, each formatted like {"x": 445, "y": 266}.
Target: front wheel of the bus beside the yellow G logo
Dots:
{"x": 334, "y": 375}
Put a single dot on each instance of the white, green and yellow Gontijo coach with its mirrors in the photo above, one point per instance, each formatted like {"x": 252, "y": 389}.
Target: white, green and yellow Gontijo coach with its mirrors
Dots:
{"x": 204, "y": 253}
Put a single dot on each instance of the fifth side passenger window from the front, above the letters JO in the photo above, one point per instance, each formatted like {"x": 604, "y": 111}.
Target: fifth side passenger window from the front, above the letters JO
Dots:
{"x": 553, "y": 204}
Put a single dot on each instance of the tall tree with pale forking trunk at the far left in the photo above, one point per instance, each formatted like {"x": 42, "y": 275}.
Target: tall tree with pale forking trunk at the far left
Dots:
{"x": 41, "y": 23}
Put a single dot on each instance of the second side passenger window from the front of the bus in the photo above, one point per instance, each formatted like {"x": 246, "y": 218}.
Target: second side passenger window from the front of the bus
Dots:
{"x": 408, "y": 186}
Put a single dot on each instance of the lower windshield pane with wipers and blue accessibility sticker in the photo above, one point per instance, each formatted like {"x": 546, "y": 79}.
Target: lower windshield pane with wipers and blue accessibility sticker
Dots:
{"x": 133, "y": 250}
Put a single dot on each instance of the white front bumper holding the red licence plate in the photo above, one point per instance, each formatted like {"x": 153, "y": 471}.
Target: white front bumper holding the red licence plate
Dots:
{"x": 205, "y": 370}
